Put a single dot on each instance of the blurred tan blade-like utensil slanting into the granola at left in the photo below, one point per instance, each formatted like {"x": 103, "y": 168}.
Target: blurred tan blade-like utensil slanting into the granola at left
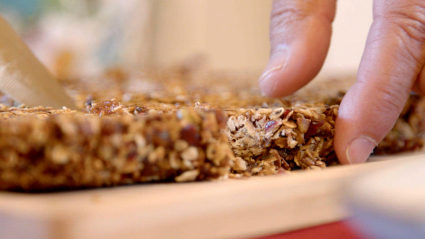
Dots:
{"x": 23, "y": 77}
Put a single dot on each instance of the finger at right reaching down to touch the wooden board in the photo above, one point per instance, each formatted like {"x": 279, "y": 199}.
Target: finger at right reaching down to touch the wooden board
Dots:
{"x": 393, "y": 59}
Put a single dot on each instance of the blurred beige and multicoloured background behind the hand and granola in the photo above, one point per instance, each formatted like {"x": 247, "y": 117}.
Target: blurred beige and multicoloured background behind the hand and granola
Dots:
{"x": 85, "y": 37}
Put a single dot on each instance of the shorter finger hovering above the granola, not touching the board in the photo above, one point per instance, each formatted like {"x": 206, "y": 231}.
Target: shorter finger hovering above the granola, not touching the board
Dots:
{"x": 300, "y": 33}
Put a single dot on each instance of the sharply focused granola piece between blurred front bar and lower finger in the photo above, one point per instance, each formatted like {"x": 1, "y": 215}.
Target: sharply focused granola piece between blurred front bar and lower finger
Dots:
{"x": 272, "y": 140}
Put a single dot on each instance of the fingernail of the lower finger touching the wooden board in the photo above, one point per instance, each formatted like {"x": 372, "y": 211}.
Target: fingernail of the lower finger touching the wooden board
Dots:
{"x": 360, "y": 149}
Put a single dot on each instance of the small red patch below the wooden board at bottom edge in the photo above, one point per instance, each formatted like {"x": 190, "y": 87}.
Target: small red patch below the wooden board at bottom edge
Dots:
{"x": 335, "y": 230}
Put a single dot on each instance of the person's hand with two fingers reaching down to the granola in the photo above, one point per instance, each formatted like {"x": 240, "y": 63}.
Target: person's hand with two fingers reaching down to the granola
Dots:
{"x": 392, "y": 65}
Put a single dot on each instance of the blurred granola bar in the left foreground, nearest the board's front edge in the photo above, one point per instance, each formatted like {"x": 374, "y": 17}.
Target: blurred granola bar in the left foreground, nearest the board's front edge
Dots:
{"x": 69, "y": 150}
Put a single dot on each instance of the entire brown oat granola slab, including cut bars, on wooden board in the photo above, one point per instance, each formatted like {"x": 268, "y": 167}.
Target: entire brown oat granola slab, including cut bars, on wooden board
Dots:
{"x": 174, "y": 131}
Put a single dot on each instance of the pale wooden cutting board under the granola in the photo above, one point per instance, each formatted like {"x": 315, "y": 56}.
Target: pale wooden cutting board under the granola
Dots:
{"x": 221, "y": 209}
